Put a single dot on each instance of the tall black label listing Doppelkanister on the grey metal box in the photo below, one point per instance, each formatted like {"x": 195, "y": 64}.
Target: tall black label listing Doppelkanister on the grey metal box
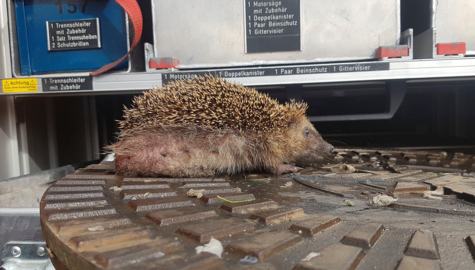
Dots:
{"x": 272, "y": 26}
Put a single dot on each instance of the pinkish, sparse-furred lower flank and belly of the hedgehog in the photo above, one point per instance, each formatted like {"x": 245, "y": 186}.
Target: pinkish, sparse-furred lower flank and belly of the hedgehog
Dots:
{"x": 191, "y": 152}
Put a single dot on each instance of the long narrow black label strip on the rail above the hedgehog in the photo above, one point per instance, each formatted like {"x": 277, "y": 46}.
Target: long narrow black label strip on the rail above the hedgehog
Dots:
{"x": 278, "y": 71}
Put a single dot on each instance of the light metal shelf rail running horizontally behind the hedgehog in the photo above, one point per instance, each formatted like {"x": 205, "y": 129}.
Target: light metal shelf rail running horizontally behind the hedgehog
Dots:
{"x": 278, "y": 75}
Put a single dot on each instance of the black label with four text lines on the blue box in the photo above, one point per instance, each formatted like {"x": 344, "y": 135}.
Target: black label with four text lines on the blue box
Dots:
{"x": 73, "y": 35}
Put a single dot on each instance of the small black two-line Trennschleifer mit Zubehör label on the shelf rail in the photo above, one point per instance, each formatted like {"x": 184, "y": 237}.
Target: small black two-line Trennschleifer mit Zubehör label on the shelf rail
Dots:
{"x": 59, "y": 84}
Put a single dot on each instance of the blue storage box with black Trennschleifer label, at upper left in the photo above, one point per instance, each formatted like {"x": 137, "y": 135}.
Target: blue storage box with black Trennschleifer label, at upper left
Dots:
{"x": 69, "y": 35}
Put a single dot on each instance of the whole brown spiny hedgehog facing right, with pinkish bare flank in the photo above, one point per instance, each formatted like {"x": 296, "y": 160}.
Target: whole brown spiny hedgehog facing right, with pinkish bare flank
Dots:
{"x": 207, "y": 126}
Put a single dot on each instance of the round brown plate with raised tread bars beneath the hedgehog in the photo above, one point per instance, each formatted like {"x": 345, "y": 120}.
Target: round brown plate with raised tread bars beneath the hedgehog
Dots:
{"x": 320, "y": 218}
